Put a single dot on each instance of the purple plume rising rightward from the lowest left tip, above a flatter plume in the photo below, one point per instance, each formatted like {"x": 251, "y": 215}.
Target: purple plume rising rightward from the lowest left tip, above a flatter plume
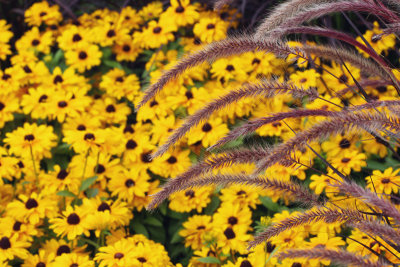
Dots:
{"x": 212, "y": 163}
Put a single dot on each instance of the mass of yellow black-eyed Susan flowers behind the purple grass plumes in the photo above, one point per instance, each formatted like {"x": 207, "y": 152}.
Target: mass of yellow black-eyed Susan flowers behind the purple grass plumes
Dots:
{"x": 76, "y": 159}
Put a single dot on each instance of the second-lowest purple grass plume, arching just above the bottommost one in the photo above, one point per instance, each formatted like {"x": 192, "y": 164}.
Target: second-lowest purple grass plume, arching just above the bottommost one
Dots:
{"x": 328, "y": 215}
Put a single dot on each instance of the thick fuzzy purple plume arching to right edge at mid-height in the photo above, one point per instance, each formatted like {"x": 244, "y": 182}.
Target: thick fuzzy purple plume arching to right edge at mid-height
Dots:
{"x": 370, "y": 122}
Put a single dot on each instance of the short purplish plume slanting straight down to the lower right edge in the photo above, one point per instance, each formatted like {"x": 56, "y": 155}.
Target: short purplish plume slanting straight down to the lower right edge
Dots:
{"x": 353, "y": 189}
